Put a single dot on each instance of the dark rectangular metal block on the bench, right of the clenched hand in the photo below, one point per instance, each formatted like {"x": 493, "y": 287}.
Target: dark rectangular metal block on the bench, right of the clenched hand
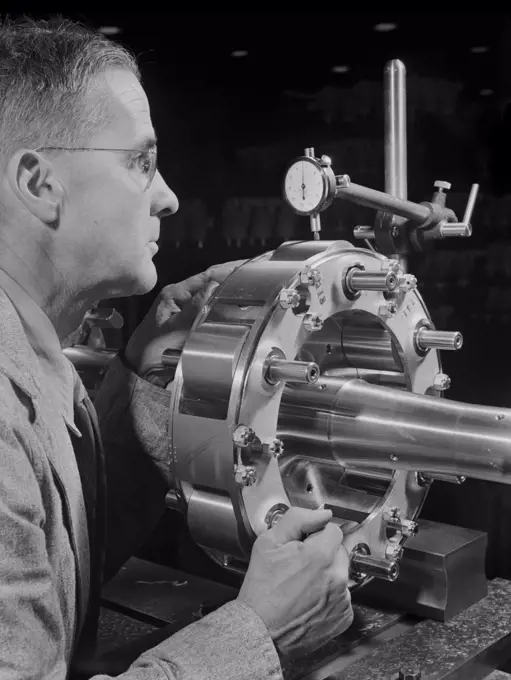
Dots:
{"x": 442, "y": 573}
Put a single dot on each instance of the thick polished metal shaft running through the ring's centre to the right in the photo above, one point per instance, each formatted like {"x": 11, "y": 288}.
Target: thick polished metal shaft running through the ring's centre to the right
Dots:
{"x": 355, "y": 422}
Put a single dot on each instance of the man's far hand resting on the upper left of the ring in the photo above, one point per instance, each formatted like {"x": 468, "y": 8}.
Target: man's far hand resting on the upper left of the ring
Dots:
{"x": 168, "y": 322}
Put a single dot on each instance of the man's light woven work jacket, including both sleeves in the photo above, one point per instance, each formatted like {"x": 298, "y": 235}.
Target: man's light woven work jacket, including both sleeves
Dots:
{"x": 44, "y": 542}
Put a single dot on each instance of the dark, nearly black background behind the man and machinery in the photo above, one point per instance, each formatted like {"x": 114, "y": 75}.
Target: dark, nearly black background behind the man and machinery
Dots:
{"x": 228, "y": 126}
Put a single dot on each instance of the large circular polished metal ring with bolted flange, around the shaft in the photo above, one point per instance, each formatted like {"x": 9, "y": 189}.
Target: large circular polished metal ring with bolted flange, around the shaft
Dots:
{"x": 220, "y": 383}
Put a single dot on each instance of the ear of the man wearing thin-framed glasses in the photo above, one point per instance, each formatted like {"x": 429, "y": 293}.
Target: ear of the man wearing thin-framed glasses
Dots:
{"x": 33, "y": 181}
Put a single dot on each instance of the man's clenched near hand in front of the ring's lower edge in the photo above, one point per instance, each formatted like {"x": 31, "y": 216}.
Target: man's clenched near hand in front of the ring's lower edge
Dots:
{"x": 297, "y": 581}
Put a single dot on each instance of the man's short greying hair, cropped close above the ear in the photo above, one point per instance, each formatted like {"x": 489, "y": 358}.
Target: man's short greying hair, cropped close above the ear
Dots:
{"x": 46, "y": 70}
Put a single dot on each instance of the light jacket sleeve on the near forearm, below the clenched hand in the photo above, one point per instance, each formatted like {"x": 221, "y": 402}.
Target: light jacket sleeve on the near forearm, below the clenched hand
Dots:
{"x": 231, "y": 643}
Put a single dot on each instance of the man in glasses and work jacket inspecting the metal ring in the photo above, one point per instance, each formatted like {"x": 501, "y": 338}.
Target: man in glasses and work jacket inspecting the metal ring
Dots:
{"x": 80, "y": 208}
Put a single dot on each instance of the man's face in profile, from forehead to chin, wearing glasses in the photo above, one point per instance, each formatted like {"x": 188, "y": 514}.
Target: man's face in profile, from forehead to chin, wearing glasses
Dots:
{"x": 110, "y": 221}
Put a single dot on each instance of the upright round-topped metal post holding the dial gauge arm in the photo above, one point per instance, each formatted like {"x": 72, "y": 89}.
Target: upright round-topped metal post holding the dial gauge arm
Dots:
{"x": 396, "y": 172}
